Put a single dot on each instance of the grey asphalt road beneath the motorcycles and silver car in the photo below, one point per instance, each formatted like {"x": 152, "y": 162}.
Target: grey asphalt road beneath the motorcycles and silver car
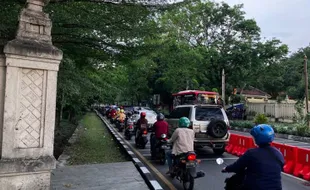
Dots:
{"x": 214, "y": 179}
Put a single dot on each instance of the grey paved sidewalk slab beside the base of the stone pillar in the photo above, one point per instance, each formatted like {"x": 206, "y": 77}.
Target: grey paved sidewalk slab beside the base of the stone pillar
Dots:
{"x": 112, "y": 176}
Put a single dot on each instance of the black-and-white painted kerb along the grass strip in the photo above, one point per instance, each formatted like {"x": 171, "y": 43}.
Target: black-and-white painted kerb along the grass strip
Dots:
{"x": 150, "y": 180}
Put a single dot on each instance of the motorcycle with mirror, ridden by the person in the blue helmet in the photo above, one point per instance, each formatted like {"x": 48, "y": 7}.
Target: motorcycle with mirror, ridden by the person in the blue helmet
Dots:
{"x": 235, "y": 181}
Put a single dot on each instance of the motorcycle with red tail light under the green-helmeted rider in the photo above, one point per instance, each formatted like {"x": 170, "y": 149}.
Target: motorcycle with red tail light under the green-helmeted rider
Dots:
{"x": 185, "y": 170}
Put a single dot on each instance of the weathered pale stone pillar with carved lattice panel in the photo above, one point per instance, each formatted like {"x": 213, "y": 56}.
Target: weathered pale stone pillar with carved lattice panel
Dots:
{"x": 28, "y": 80}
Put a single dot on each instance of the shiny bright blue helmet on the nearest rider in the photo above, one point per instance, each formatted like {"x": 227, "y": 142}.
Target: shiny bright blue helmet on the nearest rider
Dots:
{"x": 263, "y": 134}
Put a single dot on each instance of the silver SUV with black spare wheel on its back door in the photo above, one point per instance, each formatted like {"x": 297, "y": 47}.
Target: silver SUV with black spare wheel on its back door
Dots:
{"x": 209, "y": 122}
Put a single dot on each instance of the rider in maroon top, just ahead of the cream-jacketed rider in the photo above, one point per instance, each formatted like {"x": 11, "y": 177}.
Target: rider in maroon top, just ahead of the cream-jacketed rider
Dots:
{"x": 160, "y": 127}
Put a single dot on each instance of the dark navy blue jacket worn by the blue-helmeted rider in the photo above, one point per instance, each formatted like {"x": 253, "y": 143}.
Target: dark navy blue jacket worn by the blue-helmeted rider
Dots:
{"x": 263, "y": 170}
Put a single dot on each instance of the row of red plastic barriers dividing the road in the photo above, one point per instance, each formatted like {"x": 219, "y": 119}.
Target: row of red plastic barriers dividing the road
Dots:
{"x": 297, "y": 160}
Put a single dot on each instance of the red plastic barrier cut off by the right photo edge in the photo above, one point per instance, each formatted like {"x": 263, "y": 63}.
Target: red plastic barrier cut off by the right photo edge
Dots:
{"x": 302, "y": 168}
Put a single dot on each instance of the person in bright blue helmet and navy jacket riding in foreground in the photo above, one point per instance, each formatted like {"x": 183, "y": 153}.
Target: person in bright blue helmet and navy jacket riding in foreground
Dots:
{"x": 262, "y": 165}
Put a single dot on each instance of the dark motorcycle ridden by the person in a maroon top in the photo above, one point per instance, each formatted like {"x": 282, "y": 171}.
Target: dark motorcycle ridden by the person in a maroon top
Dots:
{"x": 160, "y": 149}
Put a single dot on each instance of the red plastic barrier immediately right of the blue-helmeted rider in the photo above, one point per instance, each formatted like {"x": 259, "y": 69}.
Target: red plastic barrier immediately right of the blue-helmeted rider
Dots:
{"x": 290, "y": 154}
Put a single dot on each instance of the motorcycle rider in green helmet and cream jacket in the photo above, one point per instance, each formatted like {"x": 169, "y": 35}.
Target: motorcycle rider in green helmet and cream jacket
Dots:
{"x": 183, "y": 141}
